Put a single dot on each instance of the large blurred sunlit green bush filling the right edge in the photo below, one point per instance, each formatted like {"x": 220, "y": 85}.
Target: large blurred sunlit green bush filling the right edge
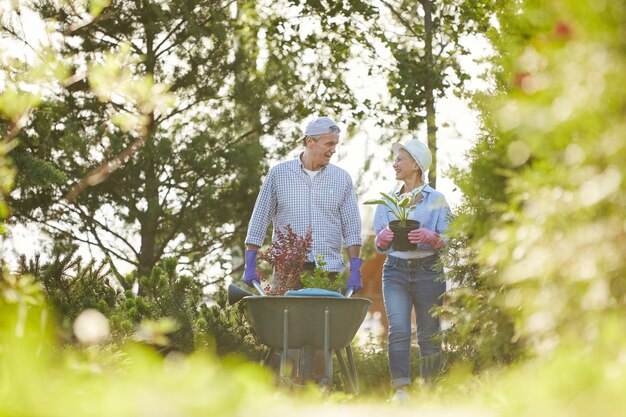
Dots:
{"x": 542, "y": 228}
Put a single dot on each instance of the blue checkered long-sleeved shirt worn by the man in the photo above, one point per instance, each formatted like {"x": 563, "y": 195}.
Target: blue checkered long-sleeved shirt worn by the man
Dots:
{"x": 326, "y": 203}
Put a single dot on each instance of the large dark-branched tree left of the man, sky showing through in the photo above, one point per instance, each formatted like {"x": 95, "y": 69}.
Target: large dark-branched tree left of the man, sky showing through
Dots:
{"x": 158, "y": 135}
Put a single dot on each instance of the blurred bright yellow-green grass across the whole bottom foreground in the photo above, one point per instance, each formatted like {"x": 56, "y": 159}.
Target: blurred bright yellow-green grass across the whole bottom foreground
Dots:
{"x": 579, "y": 380}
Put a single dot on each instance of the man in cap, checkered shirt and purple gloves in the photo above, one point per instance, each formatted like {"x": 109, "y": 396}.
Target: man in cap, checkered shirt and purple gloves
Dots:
{"x": 309, "y": 191}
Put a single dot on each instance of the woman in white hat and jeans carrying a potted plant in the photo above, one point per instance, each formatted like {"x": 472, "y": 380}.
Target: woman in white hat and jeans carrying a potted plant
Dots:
{"x": 413, "y": 279}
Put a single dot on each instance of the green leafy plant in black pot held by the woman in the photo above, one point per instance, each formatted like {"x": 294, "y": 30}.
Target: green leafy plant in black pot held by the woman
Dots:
{"x": 400, "y": 206}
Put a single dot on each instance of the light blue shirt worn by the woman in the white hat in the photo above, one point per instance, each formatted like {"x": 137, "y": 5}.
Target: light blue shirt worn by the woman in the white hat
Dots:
{"x": 432, "y": 212}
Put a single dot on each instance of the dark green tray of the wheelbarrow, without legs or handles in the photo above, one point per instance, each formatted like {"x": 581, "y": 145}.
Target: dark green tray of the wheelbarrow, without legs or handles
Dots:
{"x": 306, "y": 318}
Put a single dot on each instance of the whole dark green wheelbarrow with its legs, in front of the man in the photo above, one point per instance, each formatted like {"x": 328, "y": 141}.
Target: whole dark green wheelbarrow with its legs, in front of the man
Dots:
{"x": 307, "y": 320}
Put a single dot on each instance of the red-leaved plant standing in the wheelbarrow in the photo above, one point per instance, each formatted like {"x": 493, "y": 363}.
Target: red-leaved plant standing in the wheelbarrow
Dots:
{"x": 287, "y": 255}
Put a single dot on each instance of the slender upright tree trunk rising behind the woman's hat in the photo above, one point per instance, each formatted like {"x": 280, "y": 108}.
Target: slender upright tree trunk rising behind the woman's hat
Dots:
{"x": 431, "y": 127}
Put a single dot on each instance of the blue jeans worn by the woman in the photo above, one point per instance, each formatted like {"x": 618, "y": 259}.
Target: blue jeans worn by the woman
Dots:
{"x": 412, "y": 284}
